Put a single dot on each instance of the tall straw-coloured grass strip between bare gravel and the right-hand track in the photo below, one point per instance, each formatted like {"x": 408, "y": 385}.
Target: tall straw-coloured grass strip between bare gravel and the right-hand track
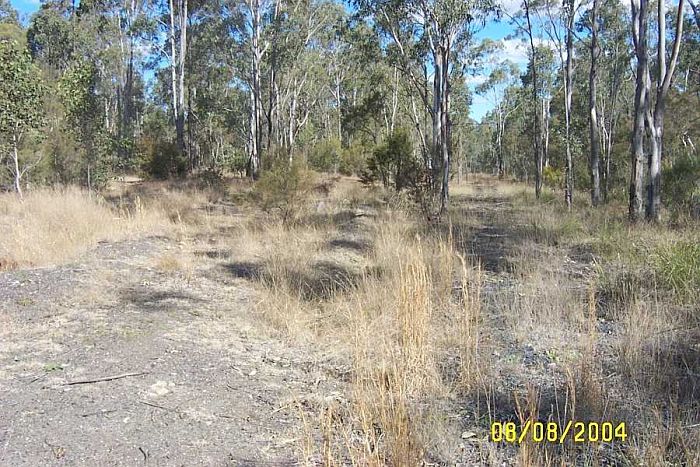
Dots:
{"x": 392, "y": 305}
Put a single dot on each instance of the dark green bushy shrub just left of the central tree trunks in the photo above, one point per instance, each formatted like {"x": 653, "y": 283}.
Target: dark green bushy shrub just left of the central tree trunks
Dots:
{"x": 393, "y": 162}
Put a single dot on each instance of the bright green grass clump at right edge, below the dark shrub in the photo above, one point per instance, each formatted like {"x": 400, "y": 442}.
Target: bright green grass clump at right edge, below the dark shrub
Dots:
{"x": 677, "y": 266}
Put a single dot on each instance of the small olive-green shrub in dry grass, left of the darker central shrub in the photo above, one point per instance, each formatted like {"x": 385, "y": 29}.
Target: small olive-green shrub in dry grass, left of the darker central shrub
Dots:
{"x": 286, "y": 188}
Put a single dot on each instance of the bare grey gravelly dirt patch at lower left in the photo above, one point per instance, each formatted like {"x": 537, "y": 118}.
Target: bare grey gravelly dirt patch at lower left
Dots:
{"x": 195, "y": 382}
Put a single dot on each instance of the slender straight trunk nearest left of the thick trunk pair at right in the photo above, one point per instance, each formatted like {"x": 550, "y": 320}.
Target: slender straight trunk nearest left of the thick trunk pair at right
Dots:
{"x": 592, "y": 109}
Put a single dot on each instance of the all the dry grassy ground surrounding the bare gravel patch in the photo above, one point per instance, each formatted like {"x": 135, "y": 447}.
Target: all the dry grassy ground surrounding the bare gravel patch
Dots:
{"x": 511, "y": 310}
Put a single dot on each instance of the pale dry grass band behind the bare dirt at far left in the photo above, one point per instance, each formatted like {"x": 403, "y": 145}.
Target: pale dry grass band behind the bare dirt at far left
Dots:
{"x": 53, "y": 226}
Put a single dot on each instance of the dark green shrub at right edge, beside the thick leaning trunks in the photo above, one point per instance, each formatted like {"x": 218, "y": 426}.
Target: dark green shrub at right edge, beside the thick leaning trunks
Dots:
{"x": 682, "y": 185}
